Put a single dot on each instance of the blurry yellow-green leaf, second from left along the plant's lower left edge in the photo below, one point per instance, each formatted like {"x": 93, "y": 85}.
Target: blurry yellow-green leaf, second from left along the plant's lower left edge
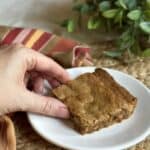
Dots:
{"x": 93, "y": 23}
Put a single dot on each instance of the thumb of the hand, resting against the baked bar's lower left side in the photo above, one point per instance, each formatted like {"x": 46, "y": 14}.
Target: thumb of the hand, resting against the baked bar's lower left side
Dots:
{"x": 44, "y": 105}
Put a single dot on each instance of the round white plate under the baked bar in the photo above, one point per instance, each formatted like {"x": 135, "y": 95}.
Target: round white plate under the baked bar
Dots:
{"x": 116, "y": 137}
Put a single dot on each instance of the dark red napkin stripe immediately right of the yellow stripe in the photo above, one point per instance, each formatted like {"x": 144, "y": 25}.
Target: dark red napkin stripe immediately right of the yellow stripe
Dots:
{"x": 41, "y": 41}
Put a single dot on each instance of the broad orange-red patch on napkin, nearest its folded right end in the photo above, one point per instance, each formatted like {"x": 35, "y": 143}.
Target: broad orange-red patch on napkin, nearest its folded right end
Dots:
{"x": 64, "y": 45}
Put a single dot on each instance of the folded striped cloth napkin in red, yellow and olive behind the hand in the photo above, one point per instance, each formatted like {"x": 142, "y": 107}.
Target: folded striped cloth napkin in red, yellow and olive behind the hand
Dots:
{"x": 67, "y": 52}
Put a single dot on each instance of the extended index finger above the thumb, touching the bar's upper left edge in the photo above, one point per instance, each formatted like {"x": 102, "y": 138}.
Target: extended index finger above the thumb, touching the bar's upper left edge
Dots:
{"x": 47, "y": 66}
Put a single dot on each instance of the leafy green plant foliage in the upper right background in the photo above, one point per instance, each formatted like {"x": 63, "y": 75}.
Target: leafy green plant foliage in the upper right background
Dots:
{"x": 130, "y": 18}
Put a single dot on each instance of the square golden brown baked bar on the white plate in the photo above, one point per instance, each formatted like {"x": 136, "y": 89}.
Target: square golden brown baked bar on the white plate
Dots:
{"x": 95, "y": 101}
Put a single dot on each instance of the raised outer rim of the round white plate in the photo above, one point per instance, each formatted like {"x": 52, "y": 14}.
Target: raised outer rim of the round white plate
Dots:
{"x": 122, "y": 146}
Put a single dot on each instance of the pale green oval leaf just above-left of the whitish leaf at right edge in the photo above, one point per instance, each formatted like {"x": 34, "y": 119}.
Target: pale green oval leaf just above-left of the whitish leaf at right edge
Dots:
{"x": 134, "y": 14}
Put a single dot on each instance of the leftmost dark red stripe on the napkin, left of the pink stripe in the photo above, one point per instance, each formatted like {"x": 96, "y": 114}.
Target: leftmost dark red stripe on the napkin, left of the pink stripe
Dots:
{"x": 11, "y": 35}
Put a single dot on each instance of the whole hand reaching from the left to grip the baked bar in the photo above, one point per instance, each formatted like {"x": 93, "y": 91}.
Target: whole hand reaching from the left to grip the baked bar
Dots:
{"x": 17, "y": 65}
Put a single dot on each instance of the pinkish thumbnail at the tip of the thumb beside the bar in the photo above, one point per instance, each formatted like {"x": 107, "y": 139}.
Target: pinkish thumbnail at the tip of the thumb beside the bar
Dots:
{"x": 63, "y": 113}
